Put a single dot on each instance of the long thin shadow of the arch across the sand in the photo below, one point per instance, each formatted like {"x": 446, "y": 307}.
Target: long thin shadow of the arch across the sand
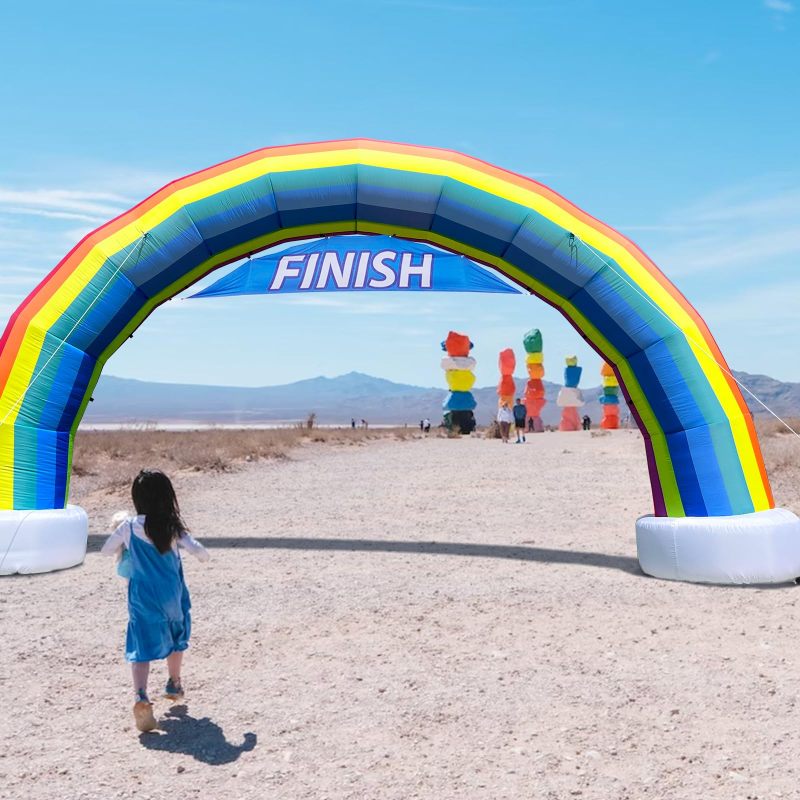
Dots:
{"x": 544, "y": 555}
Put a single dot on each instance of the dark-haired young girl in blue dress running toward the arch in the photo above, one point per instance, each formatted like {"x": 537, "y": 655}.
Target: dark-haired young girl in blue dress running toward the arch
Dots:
{"x": 159, "y": 621}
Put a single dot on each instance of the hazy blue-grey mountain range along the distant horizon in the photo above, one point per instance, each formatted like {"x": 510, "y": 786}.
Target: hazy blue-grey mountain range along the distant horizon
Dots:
{"x": 337, "y": 400}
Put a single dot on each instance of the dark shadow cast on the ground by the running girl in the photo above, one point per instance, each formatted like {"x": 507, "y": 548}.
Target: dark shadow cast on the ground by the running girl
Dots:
{"x": 202, "y": 739}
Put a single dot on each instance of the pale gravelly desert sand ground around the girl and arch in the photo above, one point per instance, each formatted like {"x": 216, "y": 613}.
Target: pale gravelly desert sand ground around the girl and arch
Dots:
{"x": 420, "y": 619}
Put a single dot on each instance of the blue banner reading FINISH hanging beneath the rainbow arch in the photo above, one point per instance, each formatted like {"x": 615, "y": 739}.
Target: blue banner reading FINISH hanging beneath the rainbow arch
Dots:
{"x": 349, "y": 263}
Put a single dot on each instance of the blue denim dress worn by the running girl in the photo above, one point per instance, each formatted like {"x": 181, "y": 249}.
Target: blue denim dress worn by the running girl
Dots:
{"x": 159, "y": 622}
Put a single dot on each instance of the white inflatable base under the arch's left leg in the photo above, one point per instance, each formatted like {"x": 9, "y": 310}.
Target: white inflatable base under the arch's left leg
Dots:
{"x": 41, "y": 541}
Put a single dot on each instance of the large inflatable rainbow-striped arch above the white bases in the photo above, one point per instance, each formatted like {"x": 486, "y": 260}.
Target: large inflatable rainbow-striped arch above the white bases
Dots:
{"x": 703, "y": 453}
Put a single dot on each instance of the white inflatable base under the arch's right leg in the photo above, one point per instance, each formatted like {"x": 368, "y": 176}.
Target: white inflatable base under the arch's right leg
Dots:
{"x": 763, "y": 547}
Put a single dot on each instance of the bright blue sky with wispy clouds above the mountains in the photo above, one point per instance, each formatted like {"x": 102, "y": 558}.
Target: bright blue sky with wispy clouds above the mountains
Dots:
{"x": 675, "y": 122}
